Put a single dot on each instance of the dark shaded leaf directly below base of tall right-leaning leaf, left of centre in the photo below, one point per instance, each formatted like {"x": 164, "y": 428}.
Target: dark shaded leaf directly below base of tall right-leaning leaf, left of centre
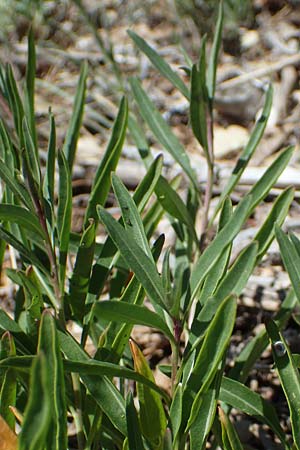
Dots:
{"x": 79, "y": 283}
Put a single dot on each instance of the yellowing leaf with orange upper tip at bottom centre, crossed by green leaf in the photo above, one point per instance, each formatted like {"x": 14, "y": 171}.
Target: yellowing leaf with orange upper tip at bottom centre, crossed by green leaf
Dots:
{"x": 152, "y": 415}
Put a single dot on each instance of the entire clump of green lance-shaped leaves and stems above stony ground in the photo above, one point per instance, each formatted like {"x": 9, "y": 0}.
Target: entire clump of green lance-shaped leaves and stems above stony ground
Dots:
{"x": 46, "y": 375}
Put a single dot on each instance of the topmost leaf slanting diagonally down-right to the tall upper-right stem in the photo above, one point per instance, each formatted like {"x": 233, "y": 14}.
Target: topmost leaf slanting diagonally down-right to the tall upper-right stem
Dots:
{"x": 161, "y": 65}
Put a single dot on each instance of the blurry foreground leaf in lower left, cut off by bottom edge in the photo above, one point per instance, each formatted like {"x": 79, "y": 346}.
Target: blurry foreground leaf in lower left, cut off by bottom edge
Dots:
{"x": 37, "y": 416}
